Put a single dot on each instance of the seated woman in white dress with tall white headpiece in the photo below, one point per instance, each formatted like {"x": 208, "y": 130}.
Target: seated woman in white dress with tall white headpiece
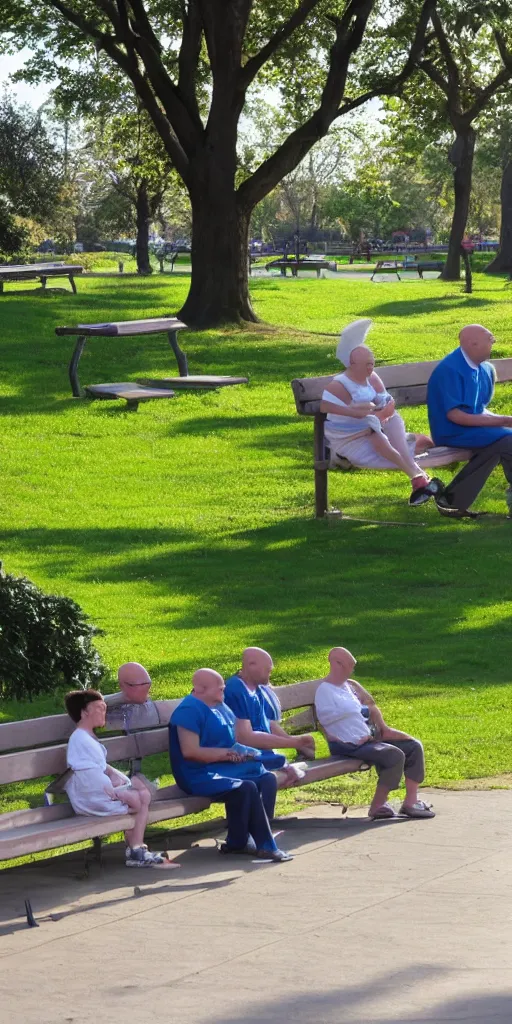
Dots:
{"x": 362, "y": 422}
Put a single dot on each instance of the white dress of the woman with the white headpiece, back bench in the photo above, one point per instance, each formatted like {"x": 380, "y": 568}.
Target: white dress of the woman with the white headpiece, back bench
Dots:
{"x": 347, "y": 437}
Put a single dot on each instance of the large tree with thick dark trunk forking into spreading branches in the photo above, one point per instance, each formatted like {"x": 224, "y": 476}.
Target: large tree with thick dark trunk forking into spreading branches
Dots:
{"x": 182, "y": 56}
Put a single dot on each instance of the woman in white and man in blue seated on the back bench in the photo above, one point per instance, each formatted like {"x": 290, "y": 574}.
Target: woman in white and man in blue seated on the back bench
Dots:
{"x": 363, "y": 425}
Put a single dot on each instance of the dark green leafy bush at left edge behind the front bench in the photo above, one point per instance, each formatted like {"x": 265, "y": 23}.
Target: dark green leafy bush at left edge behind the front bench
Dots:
{"x": 47, "y": 643}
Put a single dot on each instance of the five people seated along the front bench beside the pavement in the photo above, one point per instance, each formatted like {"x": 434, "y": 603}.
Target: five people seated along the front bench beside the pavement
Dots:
{"x": 225, "y": 741}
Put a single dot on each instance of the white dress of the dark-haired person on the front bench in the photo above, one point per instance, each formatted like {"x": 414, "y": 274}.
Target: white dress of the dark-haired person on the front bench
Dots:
{"x": 87, "y": 788}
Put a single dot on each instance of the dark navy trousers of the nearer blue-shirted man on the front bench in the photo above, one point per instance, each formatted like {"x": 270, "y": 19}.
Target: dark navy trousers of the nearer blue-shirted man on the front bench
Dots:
{"x": 248, "y": 809}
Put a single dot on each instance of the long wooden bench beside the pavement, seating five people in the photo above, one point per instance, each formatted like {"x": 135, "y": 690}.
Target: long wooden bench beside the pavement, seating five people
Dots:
{"x": 35, "y": 751}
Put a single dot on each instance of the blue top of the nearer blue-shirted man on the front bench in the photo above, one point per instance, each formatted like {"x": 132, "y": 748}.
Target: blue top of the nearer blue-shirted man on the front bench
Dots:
{"x": 216, "y": 728}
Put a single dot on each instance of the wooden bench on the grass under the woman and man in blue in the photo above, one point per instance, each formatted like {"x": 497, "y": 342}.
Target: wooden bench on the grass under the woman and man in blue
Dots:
{"x": 408, "y": 385}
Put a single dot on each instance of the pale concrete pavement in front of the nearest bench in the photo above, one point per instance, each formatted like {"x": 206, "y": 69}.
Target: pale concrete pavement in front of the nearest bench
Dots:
{"x": 371, "y": 924}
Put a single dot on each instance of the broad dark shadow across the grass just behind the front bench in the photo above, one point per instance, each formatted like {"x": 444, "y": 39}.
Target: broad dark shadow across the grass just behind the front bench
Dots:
{"x": 301, "y": 585}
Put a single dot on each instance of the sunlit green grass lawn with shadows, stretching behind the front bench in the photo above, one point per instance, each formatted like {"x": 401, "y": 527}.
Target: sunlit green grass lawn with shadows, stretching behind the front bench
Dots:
{"x": 186, "y": 531}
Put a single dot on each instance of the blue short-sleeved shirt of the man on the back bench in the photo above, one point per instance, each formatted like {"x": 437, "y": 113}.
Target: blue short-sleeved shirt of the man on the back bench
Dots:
{"x": 455, "y": 385}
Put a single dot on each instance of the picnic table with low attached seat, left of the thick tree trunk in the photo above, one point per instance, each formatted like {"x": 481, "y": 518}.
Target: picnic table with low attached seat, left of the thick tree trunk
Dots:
{"x": 145, "y": 390}
